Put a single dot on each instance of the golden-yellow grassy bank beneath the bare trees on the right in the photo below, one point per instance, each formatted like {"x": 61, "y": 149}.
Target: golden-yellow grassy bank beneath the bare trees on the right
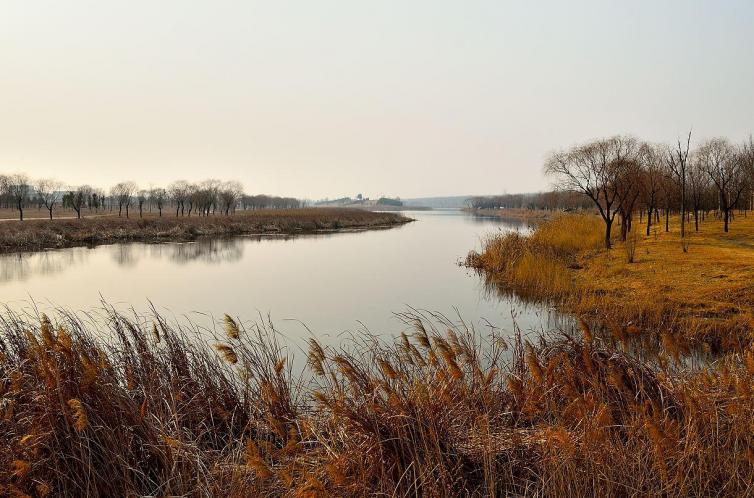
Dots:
{"x": 703, "y": 294}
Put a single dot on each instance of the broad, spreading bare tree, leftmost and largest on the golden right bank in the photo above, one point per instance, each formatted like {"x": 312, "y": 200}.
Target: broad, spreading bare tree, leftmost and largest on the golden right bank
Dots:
{"x": 595, "y": 170}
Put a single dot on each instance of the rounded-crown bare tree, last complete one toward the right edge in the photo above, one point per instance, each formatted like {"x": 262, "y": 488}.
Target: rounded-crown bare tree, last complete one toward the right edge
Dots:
{"x": 726, "y": 168}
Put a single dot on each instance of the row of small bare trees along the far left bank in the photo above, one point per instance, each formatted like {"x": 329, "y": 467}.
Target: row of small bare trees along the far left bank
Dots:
{"x": 209, "y": 197}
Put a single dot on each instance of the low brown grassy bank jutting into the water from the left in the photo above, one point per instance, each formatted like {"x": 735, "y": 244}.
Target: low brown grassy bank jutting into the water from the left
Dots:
{"x": 45, "y": 234}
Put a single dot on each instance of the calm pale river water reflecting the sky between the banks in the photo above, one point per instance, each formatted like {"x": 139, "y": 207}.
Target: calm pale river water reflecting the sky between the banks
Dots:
{"x": 331, "y": 283}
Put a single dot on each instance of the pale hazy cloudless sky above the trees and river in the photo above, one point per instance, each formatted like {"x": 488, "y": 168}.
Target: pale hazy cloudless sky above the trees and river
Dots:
{"x": 328, "y": 98}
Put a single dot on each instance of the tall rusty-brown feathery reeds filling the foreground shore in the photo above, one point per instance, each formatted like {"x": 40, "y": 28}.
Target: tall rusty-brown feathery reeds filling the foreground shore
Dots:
{"x": 440, "y": 412}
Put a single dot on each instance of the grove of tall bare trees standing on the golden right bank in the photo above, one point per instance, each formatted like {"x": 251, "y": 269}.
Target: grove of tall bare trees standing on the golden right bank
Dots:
{"x": 623, "y": 176}
